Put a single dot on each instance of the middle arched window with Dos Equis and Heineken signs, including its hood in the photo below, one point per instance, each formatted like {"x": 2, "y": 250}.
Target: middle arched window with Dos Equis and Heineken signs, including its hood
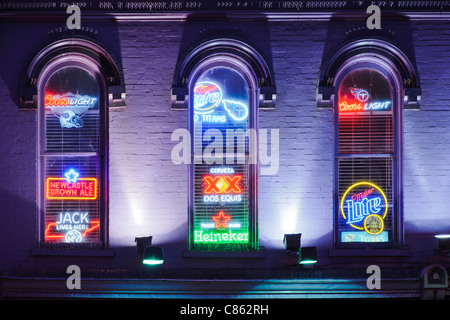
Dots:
{"x": 224, "y": 91}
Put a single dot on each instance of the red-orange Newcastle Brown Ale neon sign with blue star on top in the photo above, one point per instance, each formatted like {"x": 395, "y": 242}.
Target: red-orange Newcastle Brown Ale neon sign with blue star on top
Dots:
{"x": 71, "y": 187}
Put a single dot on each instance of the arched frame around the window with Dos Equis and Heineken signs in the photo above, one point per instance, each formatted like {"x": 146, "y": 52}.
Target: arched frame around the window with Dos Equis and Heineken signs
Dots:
{"x": 249, "y": 76}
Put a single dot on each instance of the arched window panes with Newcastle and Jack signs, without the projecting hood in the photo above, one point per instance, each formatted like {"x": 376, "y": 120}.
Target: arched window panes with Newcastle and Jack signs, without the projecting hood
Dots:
{"x": 72, "y": 153}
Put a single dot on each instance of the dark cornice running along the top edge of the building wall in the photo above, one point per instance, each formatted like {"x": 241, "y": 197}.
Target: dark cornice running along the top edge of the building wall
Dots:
{"x": 242, "y": 9}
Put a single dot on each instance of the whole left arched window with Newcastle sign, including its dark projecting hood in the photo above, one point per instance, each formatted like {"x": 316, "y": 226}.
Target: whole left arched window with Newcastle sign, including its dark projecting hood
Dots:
{"x": 71, "y": 83}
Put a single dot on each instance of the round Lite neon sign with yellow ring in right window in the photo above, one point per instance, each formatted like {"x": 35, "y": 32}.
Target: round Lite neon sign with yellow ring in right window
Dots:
{"x": 364, "y": 207}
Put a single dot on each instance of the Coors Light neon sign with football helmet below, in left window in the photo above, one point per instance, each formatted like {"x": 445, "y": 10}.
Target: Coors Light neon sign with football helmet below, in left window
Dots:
{"x": 69, "y": 108}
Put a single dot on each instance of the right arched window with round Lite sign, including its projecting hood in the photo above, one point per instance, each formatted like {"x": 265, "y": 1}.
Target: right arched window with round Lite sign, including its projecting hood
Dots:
{"x": 368, "y": 83}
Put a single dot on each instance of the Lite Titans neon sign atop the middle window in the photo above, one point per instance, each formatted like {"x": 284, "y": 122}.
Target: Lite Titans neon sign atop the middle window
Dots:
{"x": 210, "y": 107}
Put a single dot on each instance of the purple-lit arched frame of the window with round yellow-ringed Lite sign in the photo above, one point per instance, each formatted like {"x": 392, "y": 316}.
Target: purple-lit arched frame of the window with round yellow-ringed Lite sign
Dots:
{"x": 384, "y": 67}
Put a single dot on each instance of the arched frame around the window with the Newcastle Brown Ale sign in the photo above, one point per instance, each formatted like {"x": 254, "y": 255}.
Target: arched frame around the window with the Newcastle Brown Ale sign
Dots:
{"x": 86, "y": 63}
